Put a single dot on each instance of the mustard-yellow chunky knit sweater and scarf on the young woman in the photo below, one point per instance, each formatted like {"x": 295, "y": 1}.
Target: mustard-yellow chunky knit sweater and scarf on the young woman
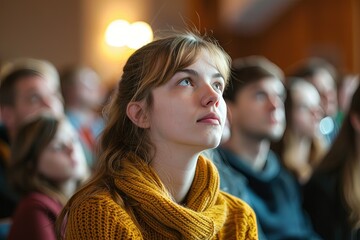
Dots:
{"x": 206, "y": 213}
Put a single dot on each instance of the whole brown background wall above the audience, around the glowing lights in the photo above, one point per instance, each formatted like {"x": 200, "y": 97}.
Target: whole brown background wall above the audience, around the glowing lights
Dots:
{"x": 70, "y": 32}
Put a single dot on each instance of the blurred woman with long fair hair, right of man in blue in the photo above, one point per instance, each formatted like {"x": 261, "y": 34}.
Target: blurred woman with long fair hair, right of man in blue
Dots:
{"x": 302, "y": 145}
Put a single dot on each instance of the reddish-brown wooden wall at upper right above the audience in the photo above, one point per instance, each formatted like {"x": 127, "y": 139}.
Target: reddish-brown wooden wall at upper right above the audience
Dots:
{"x": 325, "y": 28}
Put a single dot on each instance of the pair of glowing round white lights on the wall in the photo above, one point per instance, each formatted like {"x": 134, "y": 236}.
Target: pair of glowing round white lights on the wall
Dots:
{"x": 121, "y": 33}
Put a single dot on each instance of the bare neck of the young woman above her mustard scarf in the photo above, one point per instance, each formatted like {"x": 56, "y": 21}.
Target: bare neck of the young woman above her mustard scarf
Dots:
{"x": 176, "y": 169}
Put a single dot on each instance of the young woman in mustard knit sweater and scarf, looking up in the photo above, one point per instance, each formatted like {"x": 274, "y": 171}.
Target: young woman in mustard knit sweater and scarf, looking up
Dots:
{"x": 151, "y": 181}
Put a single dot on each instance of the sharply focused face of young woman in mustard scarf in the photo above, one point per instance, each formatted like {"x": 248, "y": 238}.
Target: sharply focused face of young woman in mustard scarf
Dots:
{"x": 189, "y": 110}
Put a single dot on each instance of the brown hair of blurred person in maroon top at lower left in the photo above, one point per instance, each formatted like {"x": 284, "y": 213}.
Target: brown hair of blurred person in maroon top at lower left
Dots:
{"x": 33, "y": 137}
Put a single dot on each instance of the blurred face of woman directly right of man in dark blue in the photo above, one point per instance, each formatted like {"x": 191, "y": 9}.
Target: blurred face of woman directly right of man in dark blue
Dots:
{"x": 306, "y": 112}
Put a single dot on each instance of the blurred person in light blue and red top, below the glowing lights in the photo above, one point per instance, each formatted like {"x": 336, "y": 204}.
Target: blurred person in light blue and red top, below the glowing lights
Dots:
{"x": 84, "y": 95}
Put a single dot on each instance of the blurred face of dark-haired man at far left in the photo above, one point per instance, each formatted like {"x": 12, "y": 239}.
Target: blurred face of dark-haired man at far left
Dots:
{"x": 34, "y": 94}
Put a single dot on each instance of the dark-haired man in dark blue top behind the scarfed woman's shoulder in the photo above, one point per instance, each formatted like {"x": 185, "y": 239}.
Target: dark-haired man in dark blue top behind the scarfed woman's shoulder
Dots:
{"x": 248, "y": 168}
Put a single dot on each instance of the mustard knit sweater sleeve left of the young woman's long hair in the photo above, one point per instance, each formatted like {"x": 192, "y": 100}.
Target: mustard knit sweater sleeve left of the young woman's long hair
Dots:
{"x": 100, "y": 218}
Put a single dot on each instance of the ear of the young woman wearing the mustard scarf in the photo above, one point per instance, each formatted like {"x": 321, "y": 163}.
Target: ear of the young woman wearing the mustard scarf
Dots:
{"x": 137, "y": 114}
